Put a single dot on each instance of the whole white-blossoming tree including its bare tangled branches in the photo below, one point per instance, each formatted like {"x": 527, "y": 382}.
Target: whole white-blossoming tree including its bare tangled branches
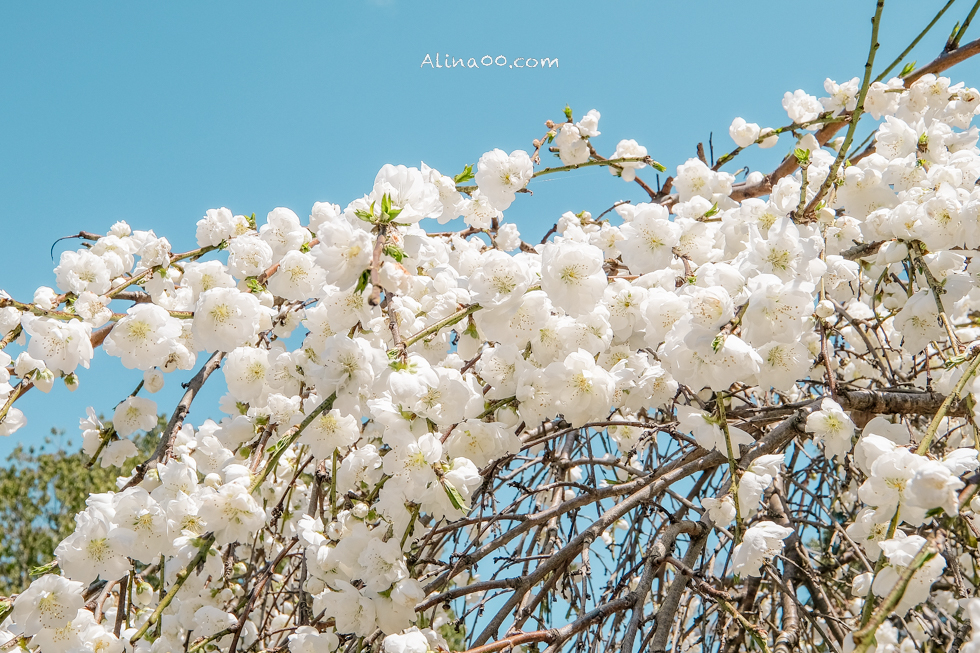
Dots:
{"x": 734, "y": 414}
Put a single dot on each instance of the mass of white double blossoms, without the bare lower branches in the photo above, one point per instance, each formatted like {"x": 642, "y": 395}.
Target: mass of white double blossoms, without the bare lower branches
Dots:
{"x": 377, "y": 372}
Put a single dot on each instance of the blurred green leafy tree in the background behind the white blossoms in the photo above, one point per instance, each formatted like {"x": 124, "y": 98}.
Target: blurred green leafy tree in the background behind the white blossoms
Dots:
{"x": 41, "y": 490}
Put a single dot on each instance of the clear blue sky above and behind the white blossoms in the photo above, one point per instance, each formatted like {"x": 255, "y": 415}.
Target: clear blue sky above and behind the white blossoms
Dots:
{"x": 154, "y": 112}
